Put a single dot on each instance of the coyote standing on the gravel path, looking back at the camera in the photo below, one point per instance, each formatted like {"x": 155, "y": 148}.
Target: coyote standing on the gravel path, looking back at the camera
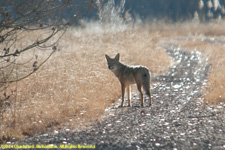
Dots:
{"x": 128, "y": 75}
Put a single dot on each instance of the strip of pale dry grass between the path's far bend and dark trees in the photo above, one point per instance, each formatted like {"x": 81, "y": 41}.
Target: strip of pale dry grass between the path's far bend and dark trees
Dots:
{"x": 189, "y": 29}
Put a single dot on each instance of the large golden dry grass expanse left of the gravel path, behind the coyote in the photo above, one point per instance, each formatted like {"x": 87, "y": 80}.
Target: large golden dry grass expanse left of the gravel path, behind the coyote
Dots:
{"x": 74, "y": 87}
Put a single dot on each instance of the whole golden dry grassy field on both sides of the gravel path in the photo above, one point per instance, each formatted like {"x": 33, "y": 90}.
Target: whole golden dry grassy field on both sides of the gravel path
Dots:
{"x": 73, "y": 89}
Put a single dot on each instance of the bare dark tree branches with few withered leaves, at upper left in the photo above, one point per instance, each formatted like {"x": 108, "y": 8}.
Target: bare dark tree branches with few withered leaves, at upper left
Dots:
{"x": 19, "y": 17}
